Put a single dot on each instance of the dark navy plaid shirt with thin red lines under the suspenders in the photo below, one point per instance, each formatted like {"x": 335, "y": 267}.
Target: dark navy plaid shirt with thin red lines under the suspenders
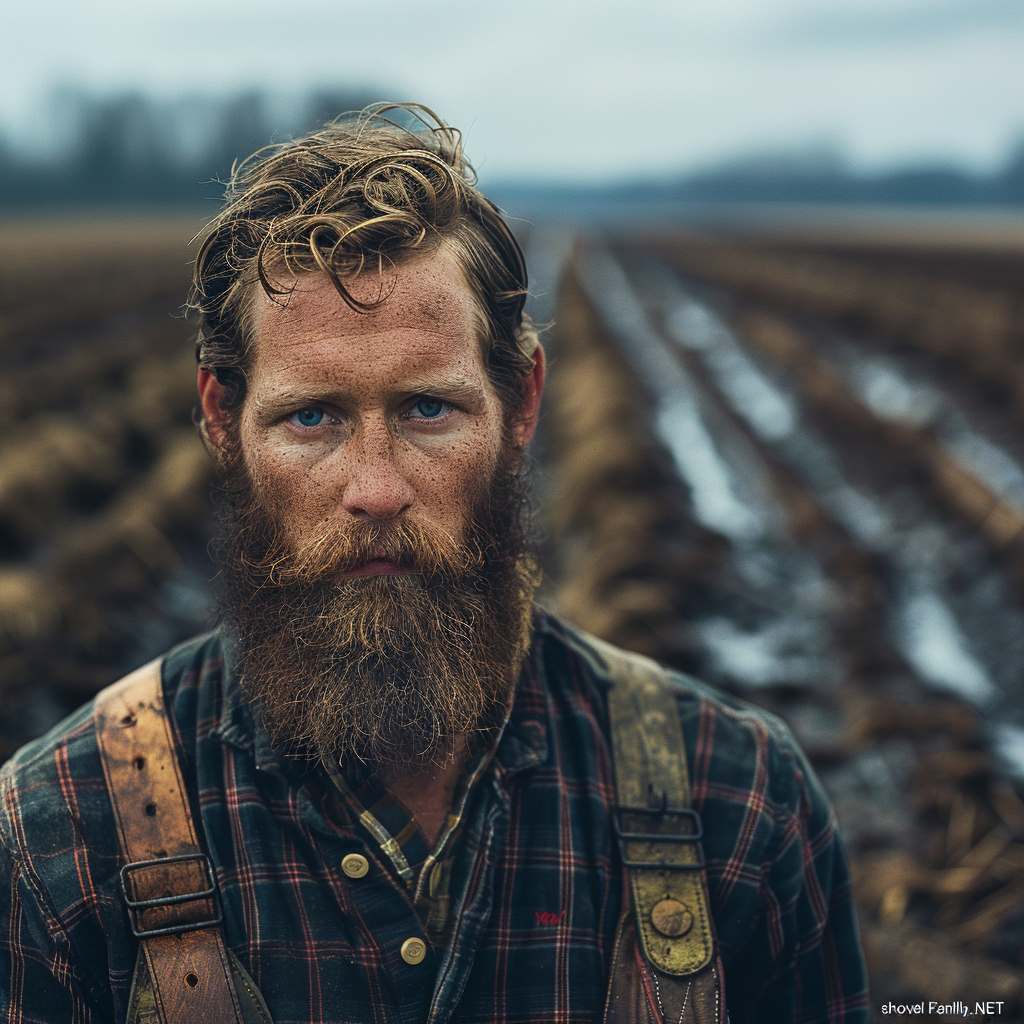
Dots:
{"x": 536, "y": 884}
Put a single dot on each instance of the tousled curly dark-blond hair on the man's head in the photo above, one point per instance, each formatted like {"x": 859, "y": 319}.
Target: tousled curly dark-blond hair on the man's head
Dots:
{"x": 362, "y": 193}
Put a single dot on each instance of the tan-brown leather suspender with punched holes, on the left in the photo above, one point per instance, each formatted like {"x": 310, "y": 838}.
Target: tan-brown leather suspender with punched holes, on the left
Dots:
{"x": 165, "y": 868}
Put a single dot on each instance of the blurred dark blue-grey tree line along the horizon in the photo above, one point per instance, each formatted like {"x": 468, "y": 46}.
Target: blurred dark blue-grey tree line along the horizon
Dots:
{"x": 131, "y": 149}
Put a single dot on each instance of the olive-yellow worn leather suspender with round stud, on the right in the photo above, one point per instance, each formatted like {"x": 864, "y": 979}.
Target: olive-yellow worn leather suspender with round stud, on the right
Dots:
{"x": 666, "y": 965}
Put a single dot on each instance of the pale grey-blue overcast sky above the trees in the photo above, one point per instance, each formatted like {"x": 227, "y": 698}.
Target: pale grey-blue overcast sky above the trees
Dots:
{"x": 594, "y": 90}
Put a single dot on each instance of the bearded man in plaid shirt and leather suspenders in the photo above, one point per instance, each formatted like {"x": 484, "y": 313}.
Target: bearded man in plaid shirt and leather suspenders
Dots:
{"x": 399, "y": 769}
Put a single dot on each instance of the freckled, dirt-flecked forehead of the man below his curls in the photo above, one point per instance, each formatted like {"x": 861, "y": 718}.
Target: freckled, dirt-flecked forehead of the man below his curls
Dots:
{"x": 424, "y": 305}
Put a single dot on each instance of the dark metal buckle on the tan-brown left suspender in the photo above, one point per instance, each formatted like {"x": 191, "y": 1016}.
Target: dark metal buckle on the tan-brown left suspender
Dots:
{"x": 168, "y": 877}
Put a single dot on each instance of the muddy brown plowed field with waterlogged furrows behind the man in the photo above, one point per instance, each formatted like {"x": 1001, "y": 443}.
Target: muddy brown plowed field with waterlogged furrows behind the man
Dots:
{"x": 793, "y": 465}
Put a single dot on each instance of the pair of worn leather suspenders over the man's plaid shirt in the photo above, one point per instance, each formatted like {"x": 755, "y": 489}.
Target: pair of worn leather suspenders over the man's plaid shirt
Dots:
{"x": 665, "y": 966}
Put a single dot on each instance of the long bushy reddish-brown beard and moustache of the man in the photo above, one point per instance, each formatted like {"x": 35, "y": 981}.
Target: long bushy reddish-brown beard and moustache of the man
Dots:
{"x": 390, "y": 670}
